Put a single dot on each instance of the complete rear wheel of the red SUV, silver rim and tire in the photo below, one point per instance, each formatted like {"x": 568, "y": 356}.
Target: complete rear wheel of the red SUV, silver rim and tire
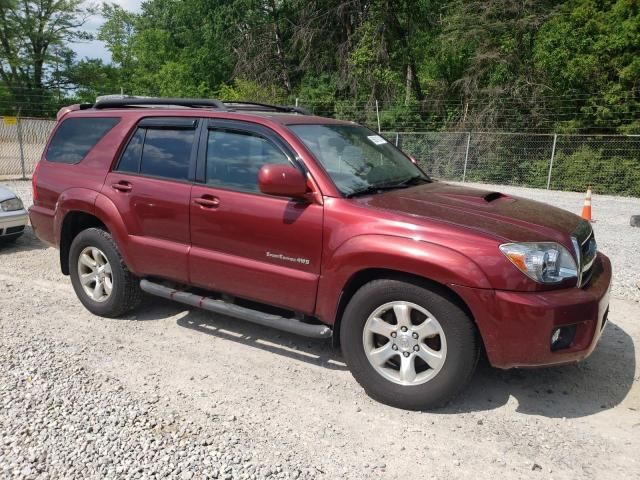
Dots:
{"x": 99, "y": 275}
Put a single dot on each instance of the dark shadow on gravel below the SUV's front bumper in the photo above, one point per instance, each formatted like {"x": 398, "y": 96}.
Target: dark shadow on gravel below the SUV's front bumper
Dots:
{"x": 598, "y": 383}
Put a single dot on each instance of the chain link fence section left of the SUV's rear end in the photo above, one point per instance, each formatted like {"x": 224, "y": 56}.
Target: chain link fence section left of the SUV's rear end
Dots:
{"x": 21, "y": 143}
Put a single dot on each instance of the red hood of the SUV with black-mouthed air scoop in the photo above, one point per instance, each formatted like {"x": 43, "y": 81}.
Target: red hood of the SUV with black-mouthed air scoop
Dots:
{"x": 509, "y": 218}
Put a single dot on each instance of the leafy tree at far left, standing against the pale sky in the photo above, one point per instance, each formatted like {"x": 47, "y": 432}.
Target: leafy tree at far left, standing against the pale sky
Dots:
{"x": 33, "y": 36}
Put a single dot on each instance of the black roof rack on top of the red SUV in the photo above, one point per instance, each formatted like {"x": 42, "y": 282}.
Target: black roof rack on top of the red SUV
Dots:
{"x": 118, "y": 101}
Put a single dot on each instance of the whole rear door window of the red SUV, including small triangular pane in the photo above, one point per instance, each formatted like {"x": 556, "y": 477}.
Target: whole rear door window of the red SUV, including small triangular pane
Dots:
{"x": 159, "y": 152}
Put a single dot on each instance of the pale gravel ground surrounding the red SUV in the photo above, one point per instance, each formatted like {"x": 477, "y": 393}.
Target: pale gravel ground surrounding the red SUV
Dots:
{"x": 174, "y": 392}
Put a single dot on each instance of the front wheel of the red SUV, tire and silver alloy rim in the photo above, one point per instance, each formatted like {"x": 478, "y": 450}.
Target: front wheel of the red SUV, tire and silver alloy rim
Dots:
{"x": 408, "y": 346}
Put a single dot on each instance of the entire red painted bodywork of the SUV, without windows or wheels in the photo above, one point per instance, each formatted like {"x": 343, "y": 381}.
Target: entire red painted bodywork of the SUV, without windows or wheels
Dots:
{"x": 300, "y": 254}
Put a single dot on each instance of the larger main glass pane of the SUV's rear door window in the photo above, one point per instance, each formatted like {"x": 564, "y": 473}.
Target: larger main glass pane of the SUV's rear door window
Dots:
{"x": 167, "y": 153}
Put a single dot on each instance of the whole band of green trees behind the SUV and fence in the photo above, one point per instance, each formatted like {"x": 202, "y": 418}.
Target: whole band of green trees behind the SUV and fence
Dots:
{"x": 516, "y": 65}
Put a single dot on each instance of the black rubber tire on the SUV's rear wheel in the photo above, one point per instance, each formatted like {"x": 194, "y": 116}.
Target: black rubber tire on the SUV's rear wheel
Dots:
{"x": 125, "y": 294}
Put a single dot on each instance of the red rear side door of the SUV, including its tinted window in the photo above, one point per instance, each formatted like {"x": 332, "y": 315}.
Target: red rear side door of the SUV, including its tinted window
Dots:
{"x": 151, "y": 187}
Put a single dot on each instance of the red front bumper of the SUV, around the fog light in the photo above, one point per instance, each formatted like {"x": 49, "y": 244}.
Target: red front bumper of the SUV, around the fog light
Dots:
{"x": 516, "y": 327}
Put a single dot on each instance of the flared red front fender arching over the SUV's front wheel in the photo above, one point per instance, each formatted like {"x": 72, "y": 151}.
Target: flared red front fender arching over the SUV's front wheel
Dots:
{"x": 428, "y": 260}
